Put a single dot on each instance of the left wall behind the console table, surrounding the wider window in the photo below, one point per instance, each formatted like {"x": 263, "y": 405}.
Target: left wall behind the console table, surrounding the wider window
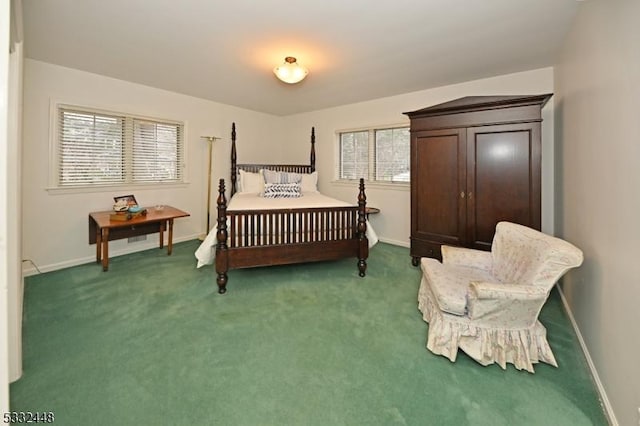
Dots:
{"x": 55, "y": 224}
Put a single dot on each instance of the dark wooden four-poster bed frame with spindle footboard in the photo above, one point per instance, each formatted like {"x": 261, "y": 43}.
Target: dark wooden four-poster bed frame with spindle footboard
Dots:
{"x": 289, "y": 235}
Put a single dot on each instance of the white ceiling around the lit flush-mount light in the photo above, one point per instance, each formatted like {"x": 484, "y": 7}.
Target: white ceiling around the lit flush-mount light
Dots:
{"x": 356, "y": 50}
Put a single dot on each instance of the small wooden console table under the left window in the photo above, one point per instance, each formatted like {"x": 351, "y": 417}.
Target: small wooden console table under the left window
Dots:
{"x": 102, "y": 229}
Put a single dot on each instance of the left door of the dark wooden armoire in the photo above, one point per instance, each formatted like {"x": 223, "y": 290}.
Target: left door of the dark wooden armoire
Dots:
{"x": 438, "y": 210}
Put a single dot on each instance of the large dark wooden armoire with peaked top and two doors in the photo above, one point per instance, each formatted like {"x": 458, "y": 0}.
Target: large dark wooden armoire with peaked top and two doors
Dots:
{"x": 475, "y": 161}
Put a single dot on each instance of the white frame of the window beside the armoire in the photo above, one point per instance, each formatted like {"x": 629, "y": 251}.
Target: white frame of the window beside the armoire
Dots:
{"x": 371, "y": 177}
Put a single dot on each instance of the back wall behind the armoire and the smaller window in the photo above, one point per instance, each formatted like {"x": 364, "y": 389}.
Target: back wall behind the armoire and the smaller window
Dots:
{"x": 393, "y": 223}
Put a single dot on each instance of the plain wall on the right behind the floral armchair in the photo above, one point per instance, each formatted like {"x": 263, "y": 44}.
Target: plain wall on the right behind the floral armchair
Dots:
{"x": 598, "y": 126}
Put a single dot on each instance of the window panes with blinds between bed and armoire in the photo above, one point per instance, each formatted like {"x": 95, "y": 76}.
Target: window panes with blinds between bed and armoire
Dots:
{"x": 375, "y": 154}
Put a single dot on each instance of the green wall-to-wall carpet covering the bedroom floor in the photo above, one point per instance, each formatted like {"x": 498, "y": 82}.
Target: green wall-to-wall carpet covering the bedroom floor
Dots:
{"x": 151, "y": 342}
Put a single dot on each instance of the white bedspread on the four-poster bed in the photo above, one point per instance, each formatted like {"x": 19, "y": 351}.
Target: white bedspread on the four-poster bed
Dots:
{"x": 249, "y": 201}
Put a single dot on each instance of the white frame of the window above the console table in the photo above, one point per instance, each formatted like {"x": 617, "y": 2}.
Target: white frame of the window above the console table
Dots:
{"x": 54, "y": 163}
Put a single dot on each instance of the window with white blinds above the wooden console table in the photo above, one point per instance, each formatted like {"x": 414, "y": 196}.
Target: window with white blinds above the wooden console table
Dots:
{"x": 101, "y": 148}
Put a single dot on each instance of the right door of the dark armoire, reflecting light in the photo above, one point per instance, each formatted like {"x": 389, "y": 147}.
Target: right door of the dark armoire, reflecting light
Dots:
{"x": 503, "y": 179}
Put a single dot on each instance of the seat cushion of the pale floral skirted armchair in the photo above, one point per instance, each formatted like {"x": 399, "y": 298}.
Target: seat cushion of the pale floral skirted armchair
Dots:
{"x": 449, "y": 284}
